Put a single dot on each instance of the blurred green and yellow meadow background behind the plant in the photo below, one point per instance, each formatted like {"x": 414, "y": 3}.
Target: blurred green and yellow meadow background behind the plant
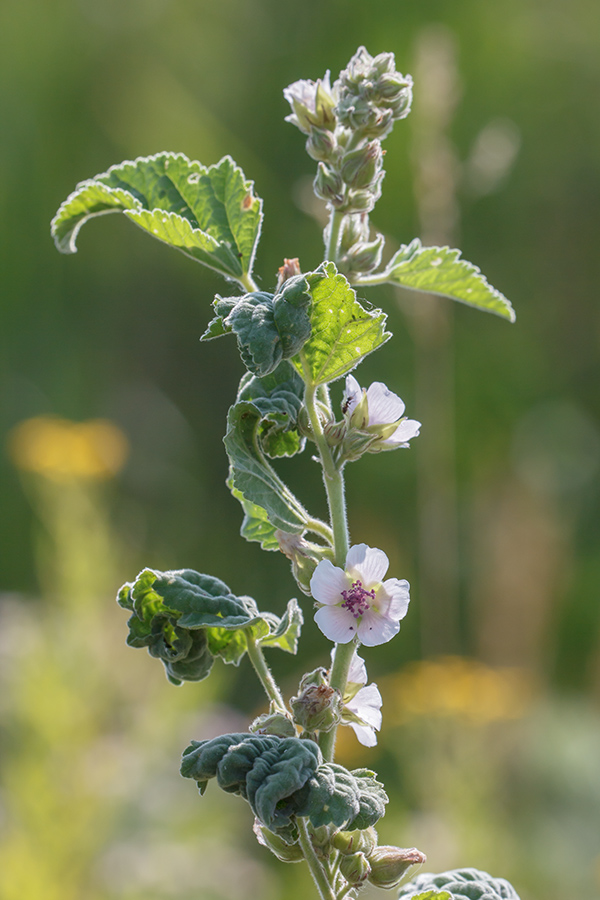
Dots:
{"x": 491, "y": 735}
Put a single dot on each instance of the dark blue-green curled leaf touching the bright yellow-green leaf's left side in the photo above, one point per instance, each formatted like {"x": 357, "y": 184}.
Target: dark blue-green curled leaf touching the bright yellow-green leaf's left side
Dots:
{"x": 269, "y": 327}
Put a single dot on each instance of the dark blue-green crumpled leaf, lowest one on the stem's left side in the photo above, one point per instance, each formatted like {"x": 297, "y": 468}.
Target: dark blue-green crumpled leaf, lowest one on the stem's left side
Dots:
{"x": 265, "y": 770}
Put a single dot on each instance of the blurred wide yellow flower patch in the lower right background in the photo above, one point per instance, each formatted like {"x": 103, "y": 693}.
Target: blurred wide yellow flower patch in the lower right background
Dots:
{"x": 456, "y": 687}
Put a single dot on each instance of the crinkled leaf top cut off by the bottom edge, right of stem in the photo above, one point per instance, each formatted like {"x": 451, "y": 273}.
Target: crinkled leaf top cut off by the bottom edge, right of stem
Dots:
{"x": 458, "y": 884}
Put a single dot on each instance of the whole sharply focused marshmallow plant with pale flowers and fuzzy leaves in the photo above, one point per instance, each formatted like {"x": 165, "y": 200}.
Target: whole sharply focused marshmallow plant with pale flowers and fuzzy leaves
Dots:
{"x": 309, "y": 330}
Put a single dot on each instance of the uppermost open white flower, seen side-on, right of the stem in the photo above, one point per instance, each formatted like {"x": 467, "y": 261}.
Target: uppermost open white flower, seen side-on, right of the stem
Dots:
{"x": 378, "y": 406}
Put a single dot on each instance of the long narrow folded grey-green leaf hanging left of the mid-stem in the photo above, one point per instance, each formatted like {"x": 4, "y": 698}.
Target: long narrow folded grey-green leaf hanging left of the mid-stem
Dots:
{"x": 252, "y": 475}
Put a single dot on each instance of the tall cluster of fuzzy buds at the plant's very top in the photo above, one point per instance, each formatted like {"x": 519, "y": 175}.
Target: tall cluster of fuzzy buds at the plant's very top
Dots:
{"x": 345, "y": 124}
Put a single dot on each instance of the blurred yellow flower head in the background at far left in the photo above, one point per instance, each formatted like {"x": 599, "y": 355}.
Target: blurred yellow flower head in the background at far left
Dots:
{"x": 62, "y": 450}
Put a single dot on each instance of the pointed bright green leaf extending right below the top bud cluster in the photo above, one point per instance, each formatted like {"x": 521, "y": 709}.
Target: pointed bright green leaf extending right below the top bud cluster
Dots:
{"x": 440, "y": 270}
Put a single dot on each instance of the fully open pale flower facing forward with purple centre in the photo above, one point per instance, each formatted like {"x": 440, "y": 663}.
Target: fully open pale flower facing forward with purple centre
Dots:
{"x": 356, "y": 602}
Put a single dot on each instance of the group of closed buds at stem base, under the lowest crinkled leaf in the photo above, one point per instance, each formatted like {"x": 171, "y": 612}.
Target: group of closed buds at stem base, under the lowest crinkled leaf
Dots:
{"x": 362, "y": 860}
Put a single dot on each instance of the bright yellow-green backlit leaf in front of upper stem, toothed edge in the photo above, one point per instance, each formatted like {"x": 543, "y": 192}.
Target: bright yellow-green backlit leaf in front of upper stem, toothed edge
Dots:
{"x": 343, "y": 332}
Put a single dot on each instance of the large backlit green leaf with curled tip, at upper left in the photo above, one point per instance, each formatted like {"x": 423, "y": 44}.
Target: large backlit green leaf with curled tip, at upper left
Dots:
{"x": 210, "y": 214}
